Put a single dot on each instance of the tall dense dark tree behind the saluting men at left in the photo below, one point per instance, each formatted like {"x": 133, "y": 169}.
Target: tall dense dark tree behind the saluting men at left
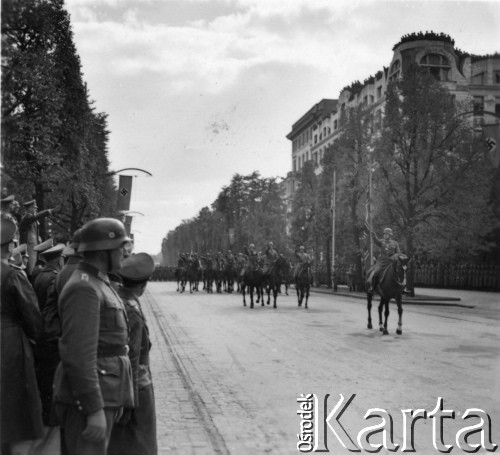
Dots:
{"x": 50, "y": 133}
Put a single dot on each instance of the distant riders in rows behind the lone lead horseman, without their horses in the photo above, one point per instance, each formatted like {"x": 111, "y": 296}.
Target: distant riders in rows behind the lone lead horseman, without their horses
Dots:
{"x": 250, "y": 258}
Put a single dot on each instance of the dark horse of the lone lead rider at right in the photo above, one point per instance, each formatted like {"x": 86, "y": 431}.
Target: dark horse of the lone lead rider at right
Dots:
{"x": 389, "y": 285}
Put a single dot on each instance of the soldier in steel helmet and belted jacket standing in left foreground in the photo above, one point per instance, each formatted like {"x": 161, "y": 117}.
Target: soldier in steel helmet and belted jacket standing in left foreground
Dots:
{"x": 93, "y": 381}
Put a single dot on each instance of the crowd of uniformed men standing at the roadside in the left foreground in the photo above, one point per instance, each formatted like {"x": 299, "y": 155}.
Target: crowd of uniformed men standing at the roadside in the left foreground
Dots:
{"x": 75, "y": 376}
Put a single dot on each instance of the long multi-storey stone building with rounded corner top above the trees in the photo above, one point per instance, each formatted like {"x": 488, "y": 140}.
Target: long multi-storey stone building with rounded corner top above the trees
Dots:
{"x": 468, "y": 78}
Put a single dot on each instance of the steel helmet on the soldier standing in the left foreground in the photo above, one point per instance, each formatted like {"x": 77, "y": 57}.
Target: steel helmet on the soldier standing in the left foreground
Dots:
{"x": 102, "y": 234}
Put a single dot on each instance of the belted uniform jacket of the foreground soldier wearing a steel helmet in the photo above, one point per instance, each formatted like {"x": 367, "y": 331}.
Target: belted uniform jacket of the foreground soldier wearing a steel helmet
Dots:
{"x": 95, "y": 370}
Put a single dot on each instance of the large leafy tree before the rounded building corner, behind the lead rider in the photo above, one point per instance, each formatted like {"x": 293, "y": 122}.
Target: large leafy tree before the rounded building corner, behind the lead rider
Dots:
{"x": 432, "y": 174}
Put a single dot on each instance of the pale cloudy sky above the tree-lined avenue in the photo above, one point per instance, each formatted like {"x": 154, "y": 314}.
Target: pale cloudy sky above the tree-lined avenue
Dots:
{"x": 197, "y": 91}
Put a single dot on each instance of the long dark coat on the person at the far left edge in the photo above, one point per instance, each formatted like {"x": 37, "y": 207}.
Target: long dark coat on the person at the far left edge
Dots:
{"x": 21, "y": 321}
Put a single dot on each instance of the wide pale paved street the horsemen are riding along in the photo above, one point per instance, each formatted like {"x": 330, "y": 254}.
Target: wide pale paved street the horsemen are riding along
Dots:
{"x": 227, "y": 378}
